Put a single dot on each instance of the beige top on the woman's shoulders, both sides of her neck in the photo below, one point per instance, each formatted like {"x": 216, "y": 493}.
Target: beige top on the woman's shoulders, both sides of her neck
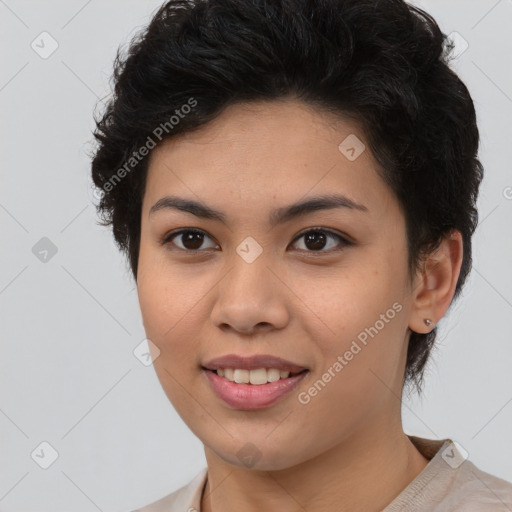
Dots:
{"x": 449, "y": 483}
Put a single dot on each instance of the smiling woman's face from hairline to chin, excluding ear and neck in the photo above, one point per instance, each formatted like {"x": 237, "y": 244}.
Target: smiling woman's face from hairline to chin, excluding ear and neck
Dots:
{"x": 326, "y": 290}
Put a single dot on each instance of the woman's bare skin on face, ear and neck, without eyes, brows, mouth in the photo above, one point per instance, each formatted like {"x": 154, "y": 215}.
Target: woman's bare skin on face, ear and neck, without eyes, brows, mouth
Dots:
{"x": 345, "y": 449}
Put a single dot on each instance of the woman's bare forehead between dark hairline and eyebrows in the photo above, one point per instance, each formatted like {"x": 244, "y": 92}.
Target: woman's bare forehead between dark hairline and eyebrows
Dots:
{"x": 266, "y": 153}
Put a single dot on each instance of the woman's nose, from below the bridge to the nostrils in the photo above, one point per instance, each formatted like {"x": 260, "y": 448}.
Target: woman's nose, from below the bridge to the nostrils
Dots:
{"x": 251, "y": 299}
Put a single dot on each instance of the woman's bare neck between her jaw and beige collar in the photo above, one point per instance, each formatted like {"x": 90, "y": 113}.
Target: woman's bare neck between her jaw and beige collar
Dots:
{"x": 363, "y": 473}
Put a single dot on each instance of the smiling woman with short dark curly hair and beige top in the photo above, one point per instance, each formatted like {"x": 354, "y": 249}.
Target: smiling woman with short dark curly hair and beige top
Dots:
{"x": 294, "y": 183}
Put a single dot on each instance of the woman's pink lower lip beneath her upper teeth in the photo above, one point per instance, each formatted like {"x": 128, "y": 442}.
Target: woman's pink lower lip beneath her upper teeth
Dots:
{"x": 251, "y": 396}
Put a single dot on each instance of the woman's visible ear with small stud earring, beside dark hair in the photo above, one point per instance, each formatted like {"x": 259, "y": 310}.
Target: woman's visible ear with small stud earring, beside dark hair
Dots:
{"x": 435, "y": 283}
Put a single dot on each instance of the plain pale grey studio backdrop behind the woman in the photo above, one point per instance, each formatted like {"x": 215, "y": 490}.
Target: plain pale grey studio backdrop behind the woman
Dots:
{"x": 74, "y": 396}
